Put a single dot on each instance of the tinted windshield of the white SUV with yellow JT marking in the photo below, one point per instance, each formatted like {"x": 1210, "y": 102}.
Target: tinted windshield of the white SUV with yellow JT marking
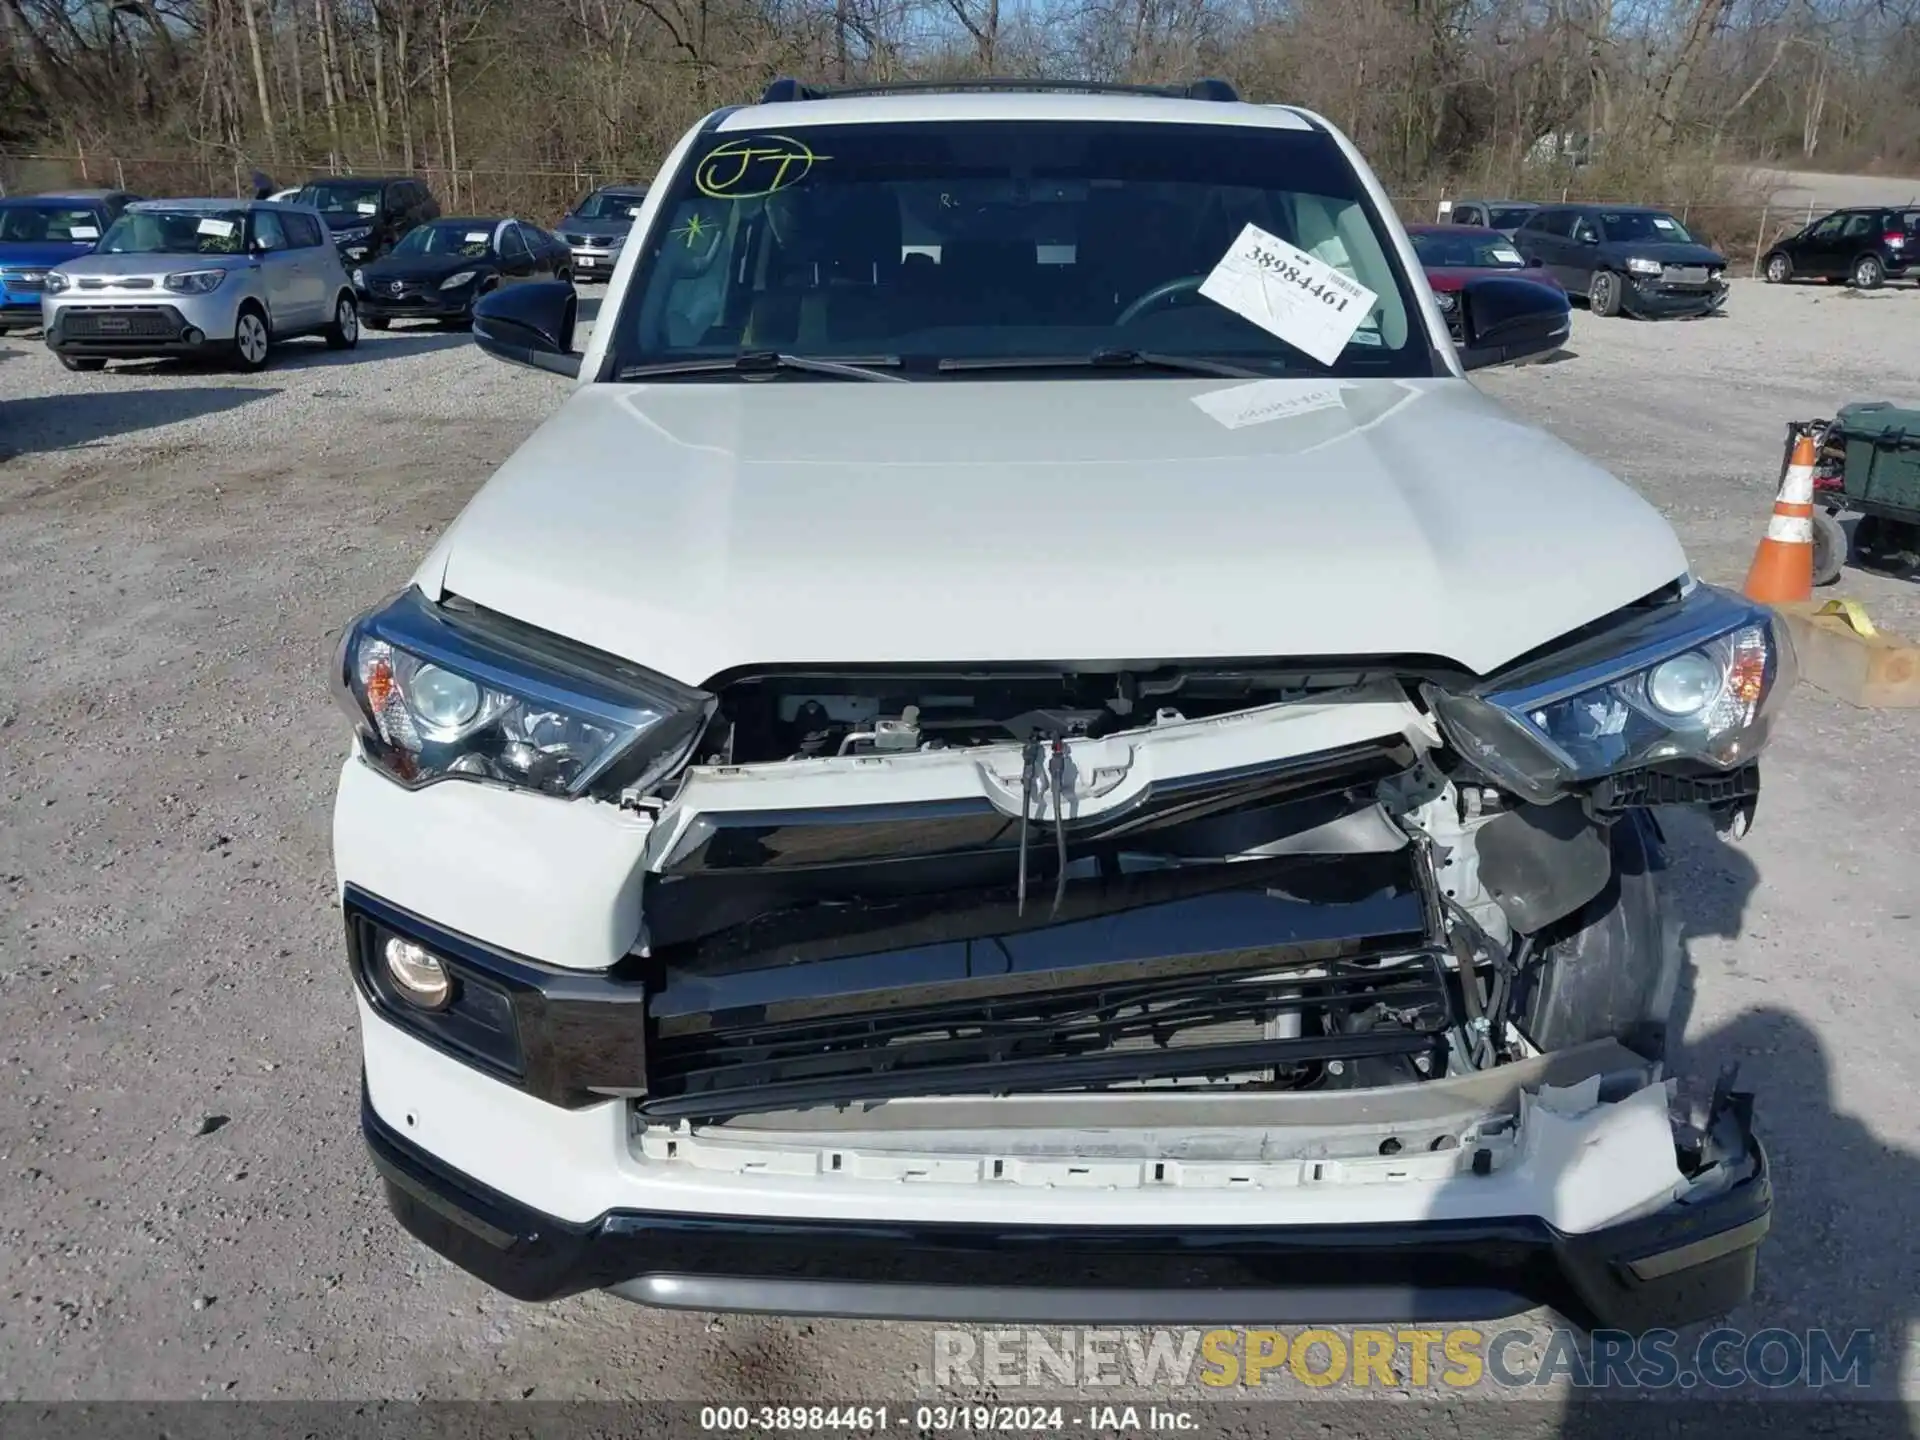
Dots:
{"x": 980, "y": 241}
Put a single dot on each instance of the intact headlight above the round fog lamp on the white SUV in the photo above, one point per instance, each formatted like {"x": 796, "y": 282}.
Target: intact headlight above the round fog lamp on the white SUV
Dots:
{"x": 444, "y": 692}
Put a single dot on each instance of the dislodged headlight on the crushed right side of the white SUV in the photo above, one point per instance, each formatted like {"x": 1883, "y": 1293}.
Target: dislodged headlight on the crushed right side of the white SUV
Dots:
{"x": 1692, "y": 684}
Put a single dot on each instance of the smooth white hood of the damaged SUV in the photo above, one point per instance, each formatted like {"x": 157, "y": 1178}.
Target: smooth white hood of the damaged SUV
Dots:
{"x": 700, "y": 527}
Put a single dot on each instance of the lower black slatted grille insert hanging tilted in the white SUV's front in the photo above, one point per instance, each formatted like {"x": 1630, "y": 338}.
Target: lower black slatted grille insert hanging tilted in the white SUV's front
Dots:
{"x": 1155, "y": 1030}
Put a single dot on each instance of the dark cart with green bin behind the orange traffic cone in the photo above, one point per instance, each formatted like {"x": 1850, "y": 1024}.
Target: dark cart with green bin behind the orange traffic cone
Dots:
{"x": 1869, "y": 466}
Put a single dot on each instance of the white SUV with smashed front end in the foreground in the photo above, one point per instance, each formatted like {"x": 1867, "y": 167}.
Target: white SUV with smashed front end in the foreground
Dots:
{"x": 1028, "y": 748}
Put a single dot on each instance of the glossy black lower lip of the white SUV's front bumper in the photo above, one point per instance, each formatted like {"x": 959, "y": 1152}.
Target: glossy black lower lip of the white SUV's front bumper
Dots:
{"x": 1681, "y": 1266}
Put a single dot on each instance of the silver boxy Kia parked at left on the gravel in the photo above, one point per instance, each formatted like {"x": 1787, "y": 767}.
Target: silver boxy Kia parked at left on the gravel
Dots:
{"x": 201, "y": 277}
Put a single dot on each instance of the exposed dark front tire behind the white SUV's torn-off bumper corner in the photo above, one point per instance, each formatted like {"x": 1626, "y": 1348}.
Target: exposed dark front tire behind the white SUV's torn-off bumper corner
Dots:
{"x": 1612, "y": 971}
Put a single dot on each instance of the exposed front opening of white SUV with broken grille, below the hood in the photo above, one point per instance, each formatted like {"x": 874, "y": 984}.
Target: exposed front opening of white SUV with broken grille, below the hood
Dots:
{"x": 1358, "y": 915}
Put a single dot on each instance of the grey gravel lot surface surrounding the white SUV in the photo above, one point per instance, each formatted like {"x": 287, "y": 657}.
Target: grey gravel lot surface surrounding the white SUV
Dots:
{"x": 185, "y": 1209}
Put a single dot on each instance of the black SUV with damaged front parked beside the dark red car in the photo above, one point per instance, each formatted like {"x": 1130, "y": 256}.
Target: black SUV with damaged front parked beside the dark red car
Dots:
{"x": 1625, "y": 260}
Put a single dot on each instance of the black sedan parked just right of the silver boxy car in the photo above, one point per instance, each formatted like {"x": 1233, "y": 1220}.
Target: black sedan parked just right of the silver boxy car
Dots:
{"x": 443, "y": 268}
